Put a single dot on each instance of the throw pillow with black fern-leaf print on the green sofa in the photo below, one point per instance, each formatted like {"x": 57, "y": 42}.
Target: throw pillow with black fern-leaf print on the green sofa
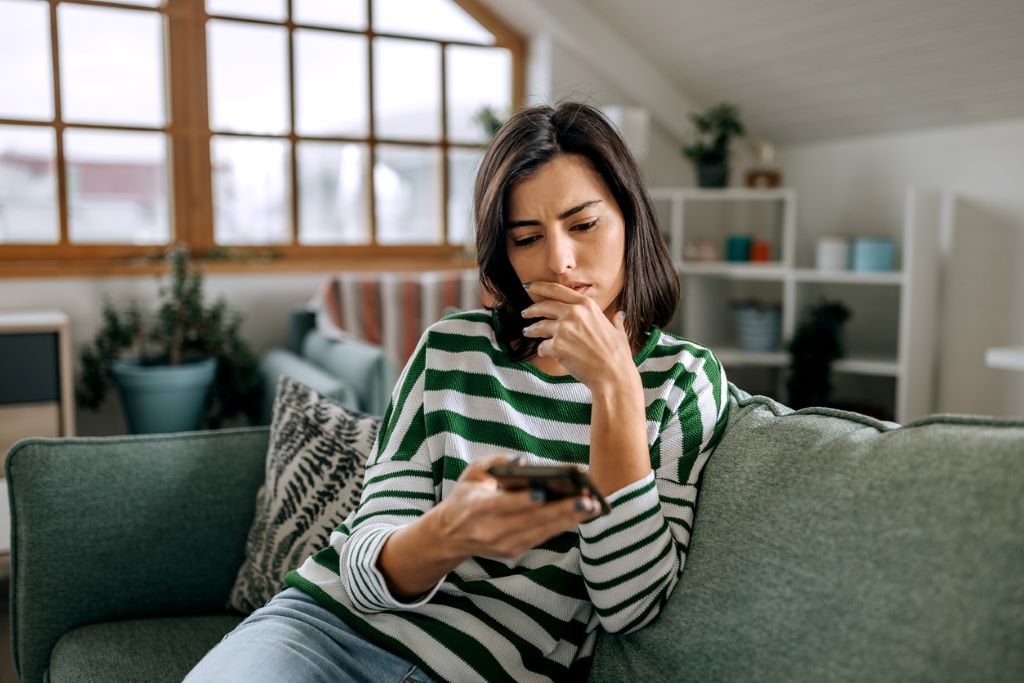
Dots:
{"x": 315, "y": 468}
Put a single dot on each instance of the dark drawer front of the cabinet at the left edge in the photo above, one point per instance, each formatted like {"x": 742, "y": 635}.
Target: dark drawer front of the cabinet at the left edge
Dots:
{"x": 29, "y": 372}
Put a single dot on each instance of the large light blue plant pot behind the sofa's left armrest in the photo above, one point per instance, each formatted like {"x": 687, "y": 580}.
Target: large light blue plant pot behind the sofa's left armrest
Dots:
{"x": 164, "y": 399}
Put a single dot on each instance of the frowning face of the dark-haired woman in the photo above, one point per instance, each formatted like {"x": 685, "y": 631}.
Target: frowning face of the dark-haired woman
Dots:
{"x": 566, "y": 228}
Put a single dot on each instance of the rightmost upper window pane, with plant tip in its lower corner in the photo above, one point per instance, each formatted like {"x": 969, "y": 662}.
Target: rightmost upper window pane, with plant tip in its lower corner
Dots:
{"x": 478, "y": 77}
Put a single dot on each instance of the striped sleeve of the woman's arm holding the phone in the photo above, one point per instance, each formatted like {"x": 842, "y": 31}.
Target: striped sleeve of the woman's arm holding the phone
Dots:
{"x": 399, "y": 489}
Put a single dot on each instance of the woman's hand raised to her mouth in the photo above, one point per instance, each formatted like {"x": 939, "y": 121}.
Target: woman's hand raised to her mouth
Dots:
{"x": 578, "y": 335}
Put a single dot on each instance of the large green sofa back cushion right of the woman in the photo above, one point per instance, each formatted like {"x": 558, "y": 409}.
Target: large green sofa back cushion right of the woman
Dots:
{"x": 832, "y": 547}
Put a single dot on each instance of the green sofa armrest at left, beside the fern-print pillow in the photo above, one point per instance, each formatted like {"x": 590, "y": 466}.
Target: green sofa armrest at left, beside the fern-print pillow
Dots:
{"x": 125, "y": 528}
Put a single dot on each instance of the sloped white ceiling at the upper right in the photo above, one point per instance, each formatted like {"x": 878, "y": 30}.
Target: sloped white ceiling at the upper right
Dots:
{"x": 805, "y": 70}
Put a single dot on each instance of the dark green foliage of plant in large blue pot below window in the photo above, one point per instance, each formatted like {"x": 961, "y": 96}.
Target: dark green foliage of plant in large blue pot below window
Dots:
{"x": 184, "y": 329}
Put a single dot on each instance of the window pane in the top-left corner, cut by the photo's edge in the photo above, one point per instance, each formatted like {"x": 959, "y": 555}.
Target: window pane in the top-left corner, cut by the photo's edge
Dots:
{"x": 26, "y": 74}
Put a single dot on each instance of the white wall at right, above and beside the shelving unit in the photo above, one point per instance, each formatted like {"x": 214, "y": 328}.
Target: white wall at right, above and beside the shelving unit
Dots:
{"x": 858, "y": 185}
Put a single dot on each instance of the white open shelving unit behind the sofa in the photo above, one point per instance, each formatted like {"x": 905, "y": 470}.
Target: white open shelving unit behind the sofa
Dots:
{"x": 890, "y": 338}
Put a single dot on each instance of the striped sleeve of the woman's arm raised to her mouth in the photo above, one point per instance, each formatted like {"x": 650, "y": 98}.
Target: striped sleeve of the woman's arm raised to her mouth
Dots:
{"x": 632, "y": 559}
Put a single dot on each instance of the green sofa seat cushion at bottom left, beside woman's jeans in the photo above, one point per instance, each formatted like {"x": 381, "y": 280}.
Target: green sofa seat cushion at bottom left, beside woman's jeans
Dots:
{"x": 154, "y": 651}
